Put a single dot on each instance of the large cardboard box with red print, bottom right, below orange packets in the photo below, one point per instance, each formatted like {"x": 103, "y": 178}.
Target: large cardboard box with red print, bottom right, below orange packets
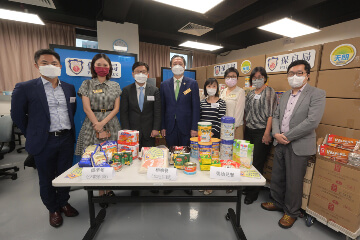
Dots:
{"x": 335, "y": 193}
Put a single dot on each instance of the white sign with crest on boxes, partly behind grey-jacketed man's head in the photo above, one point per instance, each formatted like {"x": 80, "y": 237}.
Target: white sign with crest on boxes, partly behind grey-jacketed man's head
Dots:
{"x": 281, "y": 62}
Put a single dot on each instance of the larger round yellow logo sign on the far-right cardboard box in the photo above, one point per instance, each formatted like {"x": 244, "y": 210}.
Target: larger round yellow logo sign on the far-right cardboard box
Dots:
{"x": 342, "y": 54}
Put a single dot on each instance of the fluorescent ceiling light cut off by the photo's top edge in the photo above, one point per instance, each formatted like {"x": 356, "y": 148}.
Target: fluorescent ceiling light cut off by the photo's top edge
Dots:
{"x": 196, "y": 6}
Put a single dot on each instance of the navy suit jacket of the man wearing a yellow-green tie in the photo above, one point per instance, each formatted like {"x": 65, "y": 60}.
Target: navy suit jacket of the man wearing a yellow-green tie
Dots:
{"x": 186, "y": 108}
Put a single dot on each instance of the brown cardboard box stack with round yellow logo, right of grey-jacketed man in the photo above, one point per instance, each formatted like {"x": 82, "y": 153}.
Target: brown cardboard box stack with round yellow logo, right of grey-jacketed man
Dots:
{"x": 339, "y": 76}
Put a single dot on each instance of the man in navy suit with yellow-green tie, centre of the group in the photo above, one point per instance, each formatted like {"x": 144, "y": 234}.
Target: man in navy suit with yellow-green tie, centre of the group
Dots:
{"x": 180, "y": 105}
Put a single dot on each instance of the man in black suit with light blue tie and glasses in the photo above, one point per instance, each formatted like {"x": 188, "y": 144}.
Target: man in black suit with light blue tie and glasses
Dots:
{"x": 140, "y": 107}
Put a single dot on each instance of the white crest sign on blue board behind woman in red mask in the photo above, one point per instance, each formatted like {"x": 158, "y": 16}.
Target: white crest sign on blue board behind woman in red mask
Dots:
{"x": 81, "y": 67}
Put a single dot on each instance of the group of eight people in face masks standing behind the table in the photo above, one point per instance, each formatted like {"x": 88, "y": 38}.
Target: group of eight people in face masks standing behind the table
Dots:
{"x": 44, "y": 108}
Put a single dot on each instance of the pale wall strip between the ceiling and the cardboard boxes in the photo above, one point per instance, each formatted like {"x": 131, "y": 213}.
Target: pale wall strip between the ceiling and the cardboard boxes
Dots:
{"x": 332, "y": 33}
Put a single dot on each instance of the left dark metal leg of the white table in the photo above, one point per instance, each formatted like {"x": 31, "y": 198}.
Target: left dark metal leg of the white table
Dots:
{"x": 94, "y": 222}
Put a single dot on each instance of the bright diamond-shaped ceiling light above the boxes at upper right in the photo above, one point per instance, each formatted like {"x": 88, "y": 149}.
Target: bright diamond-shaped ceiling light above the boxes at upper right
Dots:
{"x": 288, "y": 27}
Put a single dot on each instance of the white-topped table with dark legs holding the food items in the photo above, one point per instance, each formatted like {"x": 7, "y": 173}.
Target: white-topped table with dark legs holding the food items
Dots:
{"x": 129, "y": 179}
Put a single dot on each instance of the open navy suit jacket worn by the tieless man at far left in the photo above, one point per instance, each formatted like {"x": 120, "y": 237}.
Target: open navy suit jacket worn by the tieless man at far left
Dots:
{"x": 30, "y": 112}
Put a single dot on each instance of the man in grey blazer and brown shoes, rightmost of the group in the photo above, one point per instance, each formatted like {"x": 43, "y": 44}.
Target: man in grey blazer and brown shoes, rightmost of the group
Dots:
{"x": 294, "y": 122}
